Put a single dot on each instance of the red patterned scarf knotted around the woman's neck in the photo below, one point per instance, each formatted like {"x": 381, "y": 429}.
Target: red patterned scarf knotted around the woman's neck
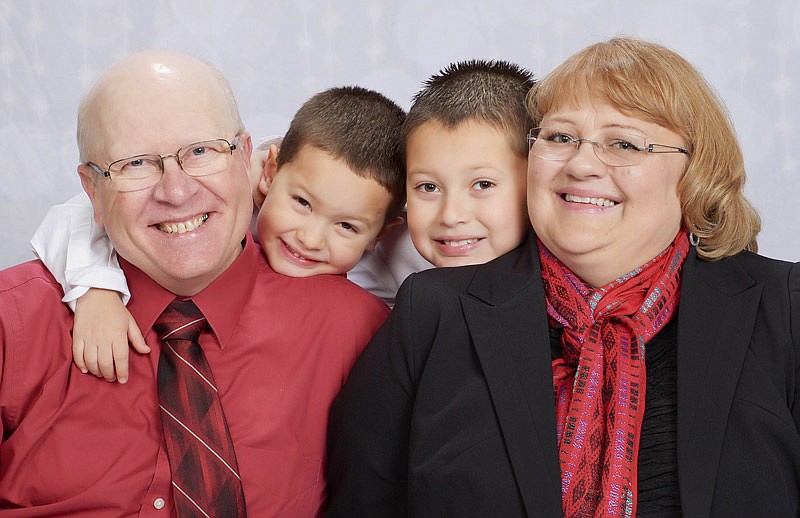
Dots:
{"x": 600, "y": 381}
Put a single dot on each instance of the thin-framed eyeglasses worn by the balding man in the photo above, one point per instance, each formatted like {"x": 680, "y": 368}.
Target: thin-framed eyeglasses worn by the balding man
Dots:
{"x": 142, "y": 171}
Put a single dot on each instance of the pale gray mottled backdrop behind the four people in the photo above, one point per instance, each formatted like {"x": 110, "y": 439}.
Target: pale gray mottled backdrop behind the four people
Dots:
{"x": 277, "y": 54}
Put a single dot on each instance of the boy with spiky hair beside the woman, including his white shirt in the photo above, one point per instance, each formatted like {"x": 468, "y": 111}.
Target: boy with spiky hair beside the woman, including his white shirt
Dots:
{"x": 464, "y": 142}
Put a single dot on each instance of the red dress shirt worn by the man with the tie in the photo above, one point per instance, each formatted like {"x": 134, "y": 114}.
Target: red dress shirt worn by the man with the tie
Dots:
{"x": 74, "y": 445}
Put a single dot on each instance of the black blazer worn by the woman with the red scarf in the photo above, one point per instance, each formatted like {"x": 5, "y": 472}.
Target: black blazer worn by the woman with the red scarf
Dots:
{"x": 450, "y": 410}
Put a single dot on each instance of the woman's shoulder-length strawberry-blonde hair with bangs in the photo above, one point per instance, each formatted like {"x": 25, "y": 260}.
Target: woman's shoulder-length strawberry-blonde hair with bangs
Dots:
{"x": 651, "y": 82}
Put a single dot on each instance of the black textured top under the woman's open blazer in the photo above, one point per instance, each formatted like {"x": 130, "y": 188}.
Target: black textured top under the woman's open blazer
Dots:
{"x": 658, "y": 461}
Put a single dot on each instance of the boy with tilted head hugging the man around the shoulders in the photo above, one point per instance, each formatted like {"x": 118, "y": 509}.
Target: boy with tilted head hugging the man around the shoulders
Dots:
{"x": 329, "y": 193}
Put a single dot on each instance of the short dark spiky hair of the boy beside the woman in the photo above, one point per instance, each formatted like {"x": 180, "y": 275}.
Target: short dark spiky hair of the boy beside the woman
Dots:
{"x": 486, "y": 91}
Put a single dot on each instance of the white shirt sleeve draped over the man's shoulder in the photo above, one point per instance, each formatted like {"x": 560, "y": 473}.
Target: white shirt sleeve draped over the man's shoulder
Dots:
{"x": 77, "y": 251}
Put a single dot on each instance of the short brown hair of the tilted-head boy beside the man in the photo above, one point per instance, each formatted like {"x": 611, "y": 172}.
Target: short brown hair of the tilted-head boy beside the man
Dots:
{"x": 361, "y": 127}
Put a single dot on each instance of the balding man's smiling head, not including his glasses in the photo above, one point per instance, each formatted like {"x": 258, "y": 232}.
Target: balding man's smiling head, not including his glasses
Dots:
{"x": 183, "y": 231}
